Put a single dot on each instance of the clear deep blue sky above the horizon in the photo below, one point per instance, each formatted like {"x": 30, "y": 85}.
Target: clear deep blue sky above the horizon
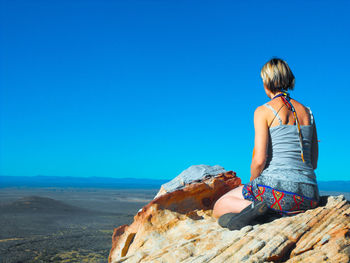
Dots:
{"x": 147, "y": 88}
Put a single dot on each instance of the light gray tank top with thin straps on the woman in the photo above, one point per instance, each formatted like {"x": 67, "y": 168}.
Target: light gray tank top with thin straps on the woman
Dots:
{"x": 284, "y": 154}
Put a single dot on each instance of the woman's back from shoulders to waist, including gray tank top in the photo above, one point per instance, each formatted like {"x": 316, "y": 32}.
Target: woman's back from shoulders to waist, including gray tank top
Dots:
{"x": 284, "y": 159}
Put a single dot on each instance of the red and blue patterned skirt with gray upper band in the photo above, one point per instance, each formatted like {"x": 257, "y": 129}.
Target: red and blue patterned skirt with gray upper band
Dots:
{"x": 286, "y": 198}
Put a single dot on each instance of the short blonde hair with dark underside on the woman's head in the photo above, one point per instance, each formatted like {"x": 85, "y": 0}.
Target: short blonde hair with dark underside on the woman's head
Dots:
{"x": 277, "y": 75}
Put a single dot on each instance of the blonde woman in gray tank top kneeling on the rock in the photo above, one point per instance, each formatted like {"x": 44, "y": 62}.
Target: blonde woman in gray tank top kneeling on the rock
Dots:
{"x": 284, "y": 158}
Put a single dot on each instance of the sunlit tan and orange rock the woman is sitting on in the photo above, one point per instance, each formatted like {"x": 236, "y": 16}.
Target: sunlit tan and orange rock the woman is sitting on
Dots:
{"x": 178, "y": 226}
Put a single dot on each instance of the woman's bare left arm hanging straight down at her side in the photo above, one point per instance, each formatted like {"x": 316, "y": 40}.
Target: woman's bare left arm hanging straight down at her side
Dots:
{"x": 260, "y": 142}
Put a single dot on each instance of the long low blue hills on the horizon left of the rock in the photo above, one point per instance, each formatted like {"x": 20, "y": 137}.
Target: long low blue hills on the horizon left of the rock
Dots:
{"x": 79, "y": 182}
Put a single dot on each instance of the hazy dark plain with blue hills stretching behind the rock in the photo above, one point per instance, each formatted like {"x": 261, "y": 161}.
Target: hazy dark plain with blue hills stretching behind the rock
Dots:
{"x": 71, "y": 224}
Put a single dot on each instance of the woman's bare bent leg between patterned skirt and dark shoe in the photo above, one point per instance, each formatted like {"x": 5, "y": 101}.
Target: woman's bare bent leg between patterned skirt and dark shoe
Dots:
{"x": 231, "y": 202}
